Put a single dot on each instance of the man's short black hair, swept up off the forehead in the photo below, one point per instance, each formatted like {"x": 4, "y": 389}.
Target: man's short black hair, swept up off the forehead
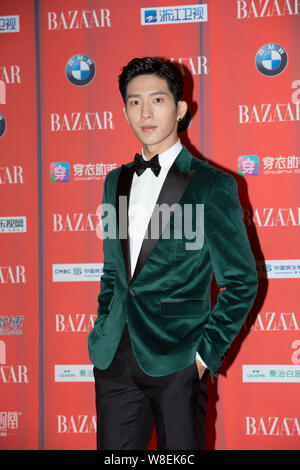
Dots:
{"x": 160, "y": 68}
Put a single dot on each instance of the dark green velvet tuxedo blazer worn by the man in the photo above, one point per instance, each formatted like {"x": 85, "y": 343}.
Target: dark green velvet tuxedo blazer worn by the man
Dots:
{"x": 167, "y": 300}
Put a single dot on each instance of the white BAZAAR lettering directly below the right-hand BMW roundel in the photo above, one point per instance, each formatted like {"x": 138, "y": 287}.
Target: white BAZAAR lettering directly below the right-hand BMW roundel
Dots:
{"x": 269, "y": 112}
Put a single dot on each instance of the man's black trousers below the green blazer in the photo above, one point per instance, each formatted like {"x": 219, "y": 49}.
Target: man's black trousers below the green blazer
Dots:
{"x": 129, "y": 403}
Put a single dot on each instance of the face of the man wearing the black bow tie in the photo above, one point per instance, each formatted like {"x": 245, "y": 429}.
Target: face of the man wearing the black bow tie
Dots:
{"x": 151, "y": 111}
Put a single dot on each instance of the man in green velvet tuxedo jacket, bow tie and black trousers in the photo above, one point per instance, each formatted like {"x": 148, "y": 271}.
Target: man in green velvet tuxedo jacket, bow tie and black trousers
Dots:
{"x": 162, "y": 305}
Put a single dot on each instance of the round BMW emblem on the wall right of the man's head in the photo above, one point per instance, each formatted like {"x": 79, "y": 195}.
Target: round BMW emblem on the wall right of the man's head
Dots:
{"x": 271, "y": 59}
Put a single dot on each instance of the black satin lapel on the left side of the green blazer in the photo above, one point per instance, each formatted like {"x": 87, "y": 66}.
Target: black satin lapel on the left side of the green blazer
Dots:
{"x": 122, "y": 206}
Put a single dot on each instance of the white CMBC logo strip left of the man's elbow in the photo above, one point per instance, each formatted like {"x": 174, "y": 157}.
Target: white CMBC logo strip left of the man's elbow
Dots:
{"x": 77, "y": 272}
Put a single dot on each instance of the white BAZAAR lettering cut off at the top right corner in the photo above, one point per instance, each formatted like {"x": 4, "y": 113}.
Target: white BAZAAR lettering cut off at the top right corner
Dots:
{"x": 266, "y": 8}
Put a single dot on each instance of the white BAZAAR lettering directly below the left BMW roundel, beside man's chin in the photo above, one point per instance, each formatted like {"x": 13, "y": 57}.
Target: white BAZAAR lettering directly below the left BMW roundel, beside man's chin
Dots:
{"x": 81, "y": 121}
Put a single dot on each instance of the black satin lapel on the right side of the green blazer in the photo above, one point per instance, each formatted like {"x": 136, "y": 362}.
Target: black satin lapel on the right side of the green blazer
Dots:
{"x": 174, "y": 186}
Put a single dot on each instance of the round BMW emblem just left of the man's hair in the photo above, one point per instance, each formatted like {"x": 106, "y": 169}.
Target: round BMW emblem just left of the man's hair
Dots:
{"x": 80, "y": 70}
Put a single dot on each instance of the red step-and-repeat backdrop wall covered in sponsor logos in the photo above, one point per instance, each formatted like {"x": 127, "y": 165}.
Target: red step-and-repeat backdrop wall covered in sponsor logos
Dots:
{"x": 62, "y": 129}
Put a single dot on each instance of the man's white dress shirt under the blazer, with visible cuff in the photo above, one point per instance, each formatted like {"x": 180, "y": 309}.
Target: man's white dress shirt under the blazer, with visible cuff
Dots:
{"x": 143, "y": 196}
